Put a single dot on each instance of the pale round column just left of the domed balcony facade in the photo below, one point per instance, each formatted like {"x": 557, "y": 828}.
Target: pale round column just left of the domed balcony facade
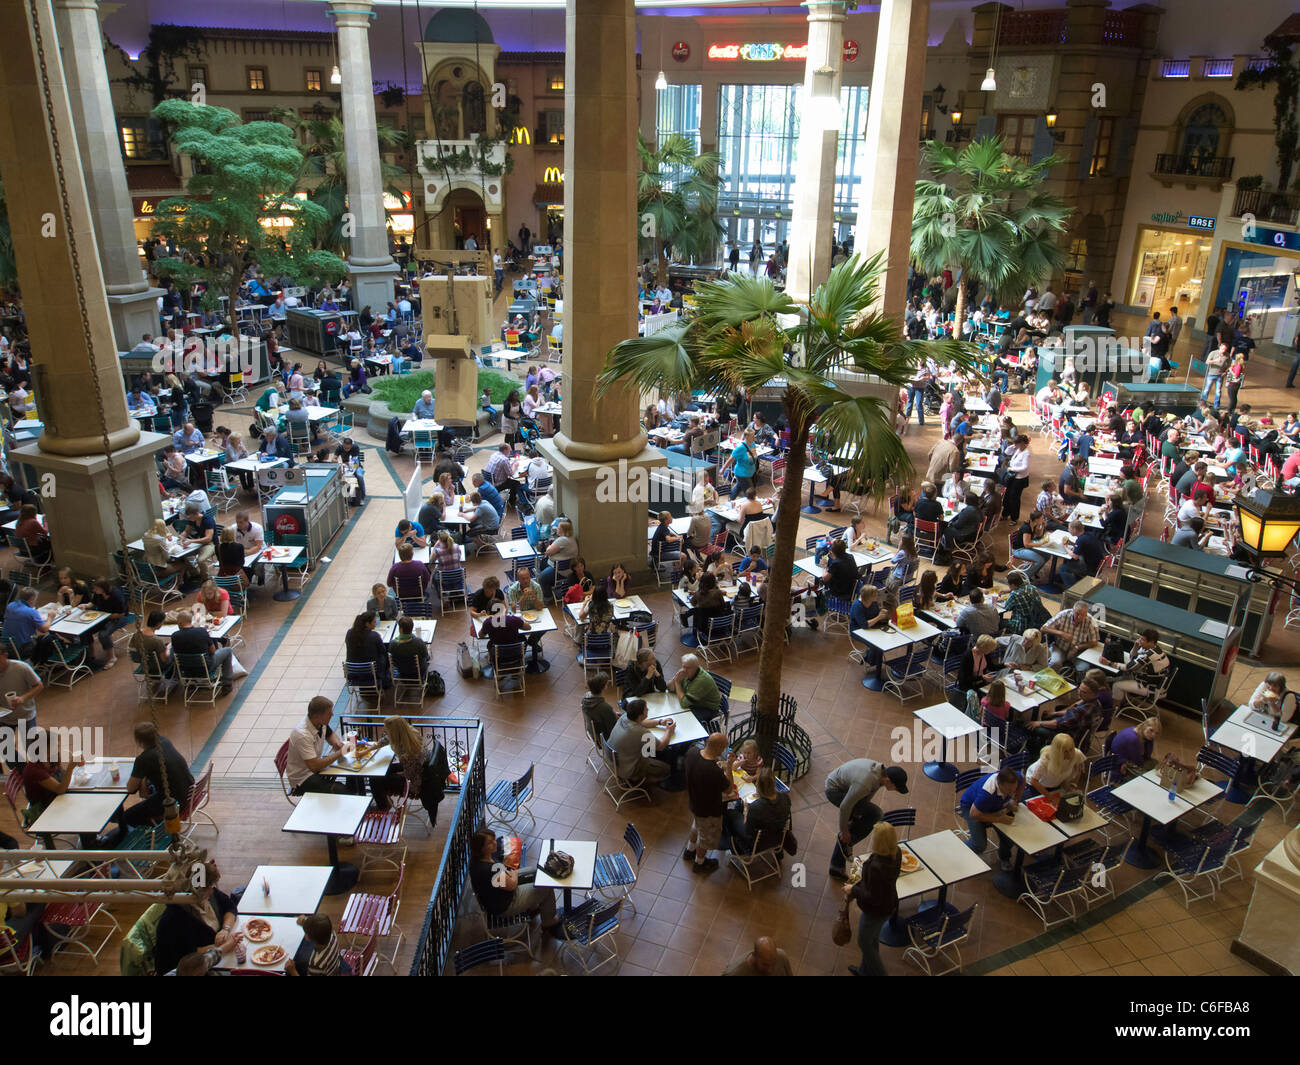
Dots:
{"x": 370, "y": 265}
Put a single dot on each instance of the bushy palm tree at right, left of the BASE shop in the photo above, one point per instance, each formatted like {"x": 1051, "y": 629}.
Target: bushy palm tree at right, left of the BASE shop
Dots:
{"x": 985, "y": 211}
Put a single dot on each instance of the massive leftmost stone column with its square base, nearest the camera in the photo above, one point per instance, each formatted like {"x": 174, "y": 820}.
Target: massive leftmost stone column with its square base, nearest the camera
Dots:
{"x": 70, "y": 354}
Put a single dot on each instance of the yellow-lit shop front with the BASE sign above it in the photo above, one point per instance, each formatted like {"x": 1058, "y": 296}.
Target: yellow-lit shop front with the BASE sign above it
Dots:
{"x": 1171, "y": 261}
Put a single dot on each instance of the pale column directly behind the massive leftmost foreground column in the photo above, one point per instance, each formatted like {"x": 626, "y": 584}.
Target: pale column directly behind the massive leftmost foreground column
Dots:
{"x": 132, "y": 301}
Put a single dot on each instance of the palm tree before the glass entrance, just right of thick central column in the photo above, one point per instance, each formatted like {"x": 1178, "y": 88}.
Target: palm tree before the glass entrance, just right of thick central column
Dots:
{"x": 678, "y": 188}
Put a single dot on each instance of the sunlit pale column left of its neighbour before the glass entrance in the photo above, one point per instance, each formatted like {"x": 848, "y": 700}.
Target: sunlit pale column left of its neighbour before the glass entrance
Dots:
{"x": 814, "y": 167}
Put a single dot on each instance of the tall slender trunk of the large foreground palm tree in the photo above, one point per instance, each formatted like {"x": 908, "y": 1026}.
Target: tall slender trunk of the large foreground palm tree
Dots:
{"x": 781, "y": 578}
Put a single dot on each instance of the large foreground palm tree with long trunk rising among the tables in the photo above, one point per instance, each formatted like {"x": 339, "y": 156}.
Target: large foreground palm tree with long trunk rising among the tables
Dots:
{"x": 739, "y": 340}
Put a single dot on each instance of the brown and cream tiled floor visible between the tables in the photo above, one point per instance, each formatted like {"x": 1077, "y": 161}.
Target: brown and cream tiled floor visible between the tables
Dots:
{"x": 684, "y": 924}
